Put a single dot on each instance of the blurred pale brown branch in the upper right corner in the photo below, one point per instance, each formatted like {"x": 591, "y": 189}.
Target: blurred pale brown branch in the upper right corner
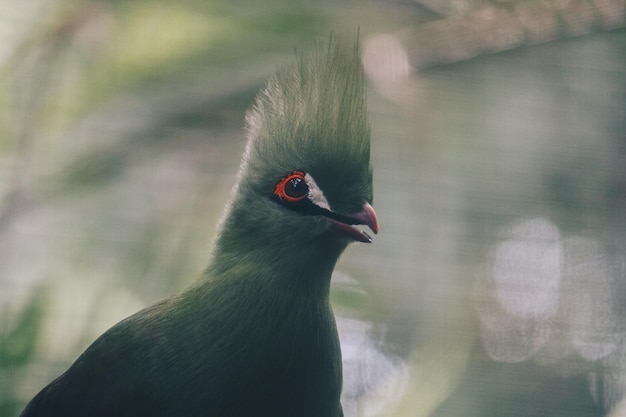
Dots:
{"x": 489, "y": 27}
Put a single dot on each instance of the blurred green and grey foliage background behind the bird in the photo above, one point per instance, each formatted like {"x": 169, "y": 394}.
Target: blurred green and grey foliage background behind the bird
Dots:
{"x": 497, "y": 284}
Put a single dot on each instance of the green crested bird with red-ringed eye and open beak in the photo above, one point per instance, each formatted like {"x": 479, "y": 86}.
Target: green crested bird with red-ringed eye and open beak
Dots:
{"x": 255, "y": 335}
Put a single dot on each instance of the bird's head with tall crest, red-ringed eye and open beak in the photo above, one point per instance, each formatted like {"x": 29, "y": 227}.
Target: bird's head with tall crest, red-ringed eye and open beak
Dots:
{"x": 306, "y": 173}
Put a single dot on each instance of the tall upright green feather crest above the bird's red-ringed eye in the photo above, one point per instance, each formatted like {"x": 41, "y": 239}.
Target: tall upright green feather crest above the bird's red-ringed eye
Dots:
{"x": 313, "y": 117}
